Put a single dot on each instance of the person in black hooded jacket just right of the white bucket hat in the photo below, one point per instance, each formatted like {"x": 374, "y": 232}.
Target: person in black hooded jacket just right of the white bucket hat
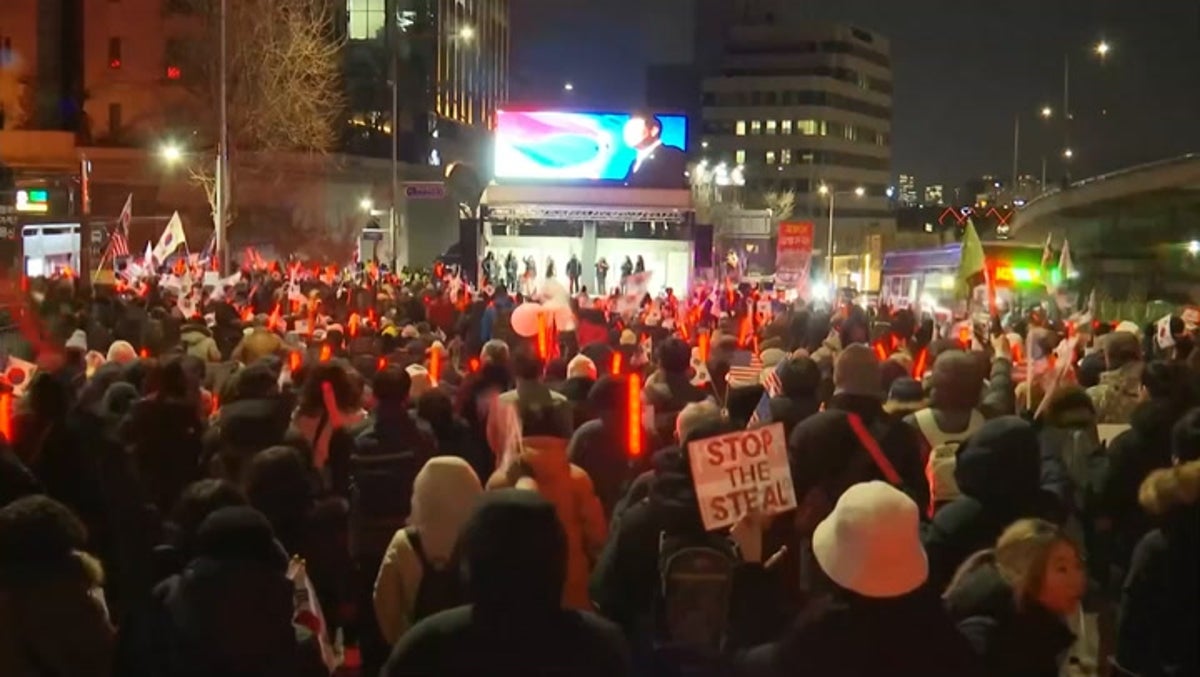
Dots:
{"x": 999, "y": 476}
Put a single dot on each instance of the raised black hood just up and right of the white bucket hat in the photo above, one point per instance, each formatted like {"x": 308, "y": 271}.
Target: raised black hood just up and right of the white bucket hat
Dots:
{"x": 1001, "y": 462}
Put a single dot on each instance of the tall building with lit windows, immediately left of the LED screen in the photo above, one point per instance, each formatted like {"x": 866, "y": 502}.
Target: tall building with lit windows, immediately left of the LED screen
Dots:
{"x": 452, "y": 59}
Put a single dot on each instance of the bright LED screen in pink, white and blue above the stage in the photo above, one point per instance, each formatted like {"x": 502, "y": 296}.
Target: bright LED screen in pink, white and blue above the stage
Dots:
{"x": 619, "y": 148}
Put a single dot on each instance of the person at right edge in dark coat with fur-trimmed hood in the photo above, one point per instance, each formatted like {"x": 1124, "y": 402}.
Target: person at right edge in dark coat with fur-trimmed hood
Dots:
{"x": 1159, "y": 624}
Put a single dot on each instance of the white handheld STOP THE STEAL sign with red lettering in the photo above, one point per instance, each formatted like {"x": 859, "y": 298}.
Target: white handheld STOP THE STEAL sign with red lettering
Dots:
{"x": 741, "y": 472}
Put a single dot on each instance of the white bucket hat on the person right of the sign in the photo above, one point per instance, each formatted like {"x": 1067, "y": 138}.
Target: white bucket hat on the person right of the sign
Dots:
{"x": 871, "y": 544}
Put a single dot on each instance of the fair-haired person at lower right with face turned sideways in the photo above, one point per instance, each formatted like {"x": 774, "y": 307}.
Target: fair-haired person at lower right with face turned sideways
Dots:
{"x": 1012, "y": 602}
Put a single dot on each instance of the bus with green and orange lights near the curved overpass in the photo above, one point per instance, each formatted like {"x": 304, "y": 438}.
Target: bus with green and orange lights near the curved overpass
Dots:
{"x": 926, "y": 278}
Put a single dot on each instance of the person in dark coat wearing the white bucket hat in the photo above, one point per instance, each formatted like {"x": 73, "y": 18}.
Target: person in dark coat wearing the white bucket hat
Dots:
{"x": 879, "y": 616}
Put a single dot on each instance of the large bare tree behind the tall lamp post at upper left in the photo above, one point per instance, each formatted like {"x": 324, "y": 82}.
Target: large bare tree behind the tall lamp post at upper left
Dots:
{"x": 284, "y": 80}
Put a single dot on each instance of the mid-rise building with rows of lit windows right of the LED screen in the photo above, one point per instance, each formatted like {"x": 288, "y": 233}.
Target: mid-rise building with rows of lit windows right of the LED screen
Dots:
{"x": 807, "y": 107}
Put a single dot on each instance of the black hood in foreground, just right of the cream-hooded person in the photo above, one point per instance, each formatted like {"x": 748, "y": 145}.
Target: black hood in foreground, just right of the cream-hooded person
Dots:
{"x": 515, "y": 550}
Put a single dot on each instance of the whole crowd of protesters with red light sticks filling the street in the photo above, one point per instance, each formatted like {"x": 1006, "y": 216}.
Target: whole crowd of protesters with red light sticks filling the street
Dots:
{"x": 470, "y": 502}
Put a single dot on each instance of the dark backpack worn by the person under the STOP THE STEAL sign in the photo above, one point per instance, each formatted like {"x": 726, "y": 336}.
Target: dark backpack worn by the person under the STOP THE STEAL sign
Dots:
{"x": 693, "y": 607}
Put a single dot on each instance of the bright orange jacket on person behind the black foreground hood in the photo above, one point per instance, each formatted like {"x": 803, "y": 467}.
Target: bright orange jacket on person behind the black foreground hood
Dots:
{"x": 542, "y": 464}
